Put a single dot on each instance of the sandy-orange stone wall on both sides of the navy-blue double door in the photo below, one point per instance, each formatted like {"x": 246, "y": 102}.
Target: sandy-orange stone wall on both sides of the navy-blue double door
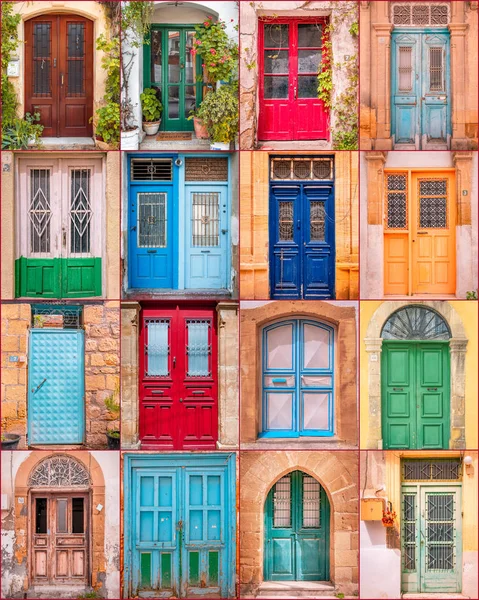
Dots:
{"x": 254, "y": 223}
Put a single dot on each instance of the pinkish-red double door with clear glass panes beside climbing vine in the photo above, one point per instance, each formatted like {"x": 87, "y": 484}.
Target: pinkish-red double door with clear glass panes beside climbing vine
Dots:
{"x": 290, "y": 56}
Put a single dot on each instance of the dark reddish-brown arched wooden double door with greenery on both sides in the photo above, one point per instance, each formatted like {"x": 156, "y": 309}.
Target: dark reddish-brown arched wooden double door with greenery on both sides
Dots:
{"x": 59, "y": 74}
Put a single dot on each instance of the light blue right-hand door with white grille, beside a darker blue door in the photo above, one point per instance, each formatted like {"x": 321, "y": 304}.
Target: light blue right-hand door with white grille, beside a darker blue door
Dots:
{"x": 207, "y": 237}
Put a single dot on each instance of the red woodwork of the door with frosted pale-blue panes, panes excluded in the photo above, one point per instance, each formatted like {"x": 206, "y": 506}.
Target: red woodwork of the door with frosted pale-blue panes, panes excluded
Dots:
{"x": 178, "y": 411}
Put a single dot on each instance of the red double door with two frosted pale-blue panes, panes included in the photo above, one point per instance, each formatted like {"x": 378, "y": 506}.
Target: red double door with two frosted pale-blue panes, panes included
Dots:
{"x": 178, "y": 378}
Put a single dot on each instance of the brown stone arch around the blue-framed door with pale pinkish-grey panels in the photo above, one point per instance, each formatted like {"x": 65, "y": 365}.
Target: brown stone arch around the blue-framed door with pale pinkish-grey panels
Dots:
{"x": 342, "y": 318}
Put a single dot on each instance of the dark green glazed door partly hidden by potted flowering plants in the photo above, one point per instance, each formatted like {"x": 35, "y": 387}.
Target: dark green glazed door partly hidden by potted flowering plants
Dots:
{"x": 171, "y": 65}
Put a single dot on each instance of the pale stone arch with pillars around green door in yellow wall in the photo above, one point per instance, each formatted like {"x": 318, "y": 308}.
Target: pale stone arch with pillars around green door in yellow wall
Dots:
{"x": 457, "y": 349}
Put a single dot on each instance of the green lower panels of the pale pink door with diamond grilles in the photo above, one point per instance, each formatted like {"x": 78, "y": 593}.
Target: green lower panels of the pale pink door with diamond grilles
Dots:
{"x": 57, "y": 277}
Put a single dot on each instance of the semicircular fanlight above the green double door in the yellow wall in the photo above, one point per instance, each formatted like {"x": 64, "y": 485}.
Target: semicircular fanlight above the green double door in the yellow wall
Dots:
{"x": 415, "y": 323}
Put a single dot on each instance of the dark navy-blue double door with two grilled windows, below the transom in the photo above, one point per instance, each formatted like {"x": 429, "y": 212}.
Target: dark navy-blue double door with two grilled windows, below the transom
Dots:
{"x": 302, "y": 237}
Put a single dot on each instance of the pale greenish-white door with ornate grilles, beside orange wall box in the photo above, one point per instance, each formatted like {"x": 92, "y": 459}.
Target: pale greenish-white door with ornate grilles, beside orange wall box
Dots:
{"x": 431, "y": 538}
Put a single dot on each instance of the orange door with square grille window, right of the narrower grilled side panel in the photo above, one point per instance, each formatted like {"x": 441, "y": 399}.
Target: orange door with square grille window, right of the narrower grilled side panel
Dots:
{"x": 433, "y": 234}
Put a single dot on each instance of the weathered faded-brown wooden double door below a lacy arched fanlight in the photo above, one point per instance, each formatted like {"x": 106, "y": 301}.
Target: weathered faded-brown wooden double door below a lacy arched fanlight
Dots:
{"x": 60, "y": 538}
